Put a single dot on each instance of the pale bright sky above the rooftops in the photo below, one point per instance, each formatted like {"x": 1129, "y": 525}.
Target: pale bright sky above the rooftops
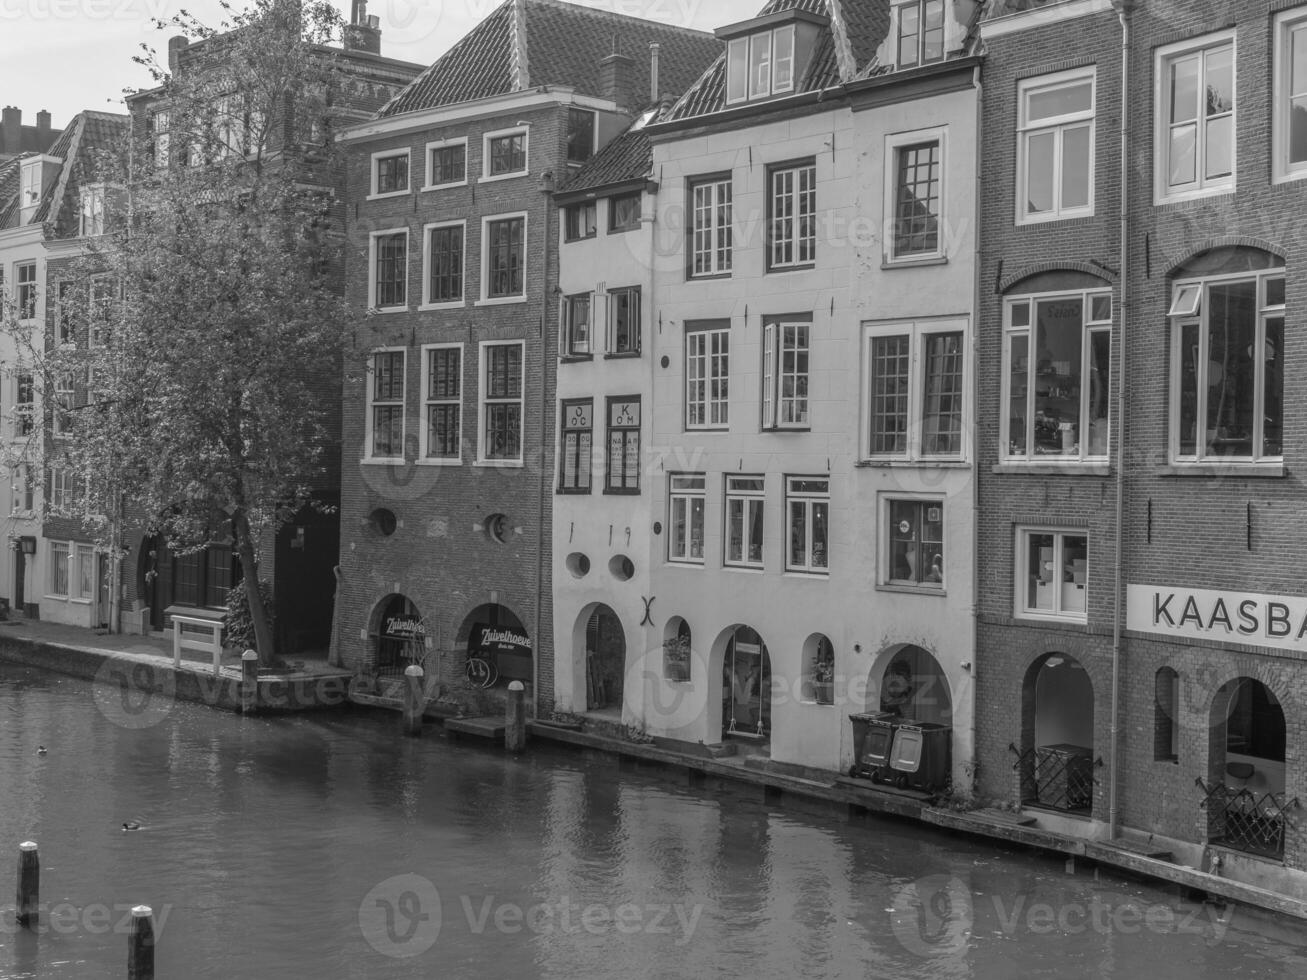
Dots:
{"x": 69, "y": 56}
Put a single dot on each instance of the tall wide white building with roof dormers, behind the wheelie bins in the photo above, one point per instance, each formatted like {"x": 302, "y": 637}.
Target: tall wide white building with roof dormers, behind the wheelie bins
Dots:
{"x": 815, "y": 287}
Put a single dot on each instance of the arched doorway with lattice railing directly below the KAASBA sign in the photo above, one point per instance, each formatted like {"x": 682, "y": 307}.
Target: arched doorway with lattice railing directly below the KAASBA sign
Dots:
{"x": 1246, "y": 751}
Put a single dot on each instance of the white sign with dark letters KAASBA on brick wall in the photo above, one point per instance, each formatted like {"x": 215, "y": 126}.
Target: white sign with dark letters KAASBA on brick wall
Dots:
{"x": 1229, "y": 617}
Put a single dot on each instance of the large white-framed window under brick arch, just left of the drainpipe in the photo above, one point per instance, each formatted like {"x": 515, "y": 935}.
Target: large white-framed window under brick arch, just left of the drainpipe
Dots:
{"x": 1058, "y": 376}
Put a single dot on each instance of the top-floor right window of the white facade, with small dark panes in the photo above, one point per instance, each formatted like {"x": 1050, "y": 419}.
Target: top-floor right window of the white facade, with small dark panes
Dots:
{"x": 914, "y": 197}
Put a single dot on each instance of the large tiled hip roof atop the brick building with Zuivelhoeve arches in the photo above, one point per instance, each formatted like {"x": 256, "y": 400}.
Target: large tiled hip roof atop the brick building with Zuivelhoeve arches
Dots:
{"x": 561, "y": 45}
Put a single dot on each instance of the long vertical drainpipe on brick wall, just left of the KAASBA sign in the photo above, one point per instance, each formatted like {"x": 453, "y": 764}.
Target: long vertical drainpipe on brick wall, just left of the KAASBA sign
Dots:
{"x": 1125, "y": 8}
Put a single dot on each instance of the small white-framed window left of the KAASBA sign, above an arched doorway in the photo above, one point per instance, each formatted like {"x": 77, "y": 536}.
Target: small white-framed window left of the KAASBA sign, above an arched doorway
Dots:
{"x": 1053, "y": 574}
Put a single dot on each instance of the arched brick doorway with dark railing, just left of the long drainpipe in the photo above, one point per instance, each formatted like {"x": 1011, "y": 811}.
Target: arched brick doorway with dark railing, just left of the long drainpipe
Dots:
{"x": 1058, "y": 736}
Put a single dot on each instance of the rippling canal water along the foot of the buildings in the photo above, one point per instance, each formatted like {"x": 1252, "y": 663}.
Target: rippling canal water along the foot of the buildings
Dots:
{"x": 327, "y": 847}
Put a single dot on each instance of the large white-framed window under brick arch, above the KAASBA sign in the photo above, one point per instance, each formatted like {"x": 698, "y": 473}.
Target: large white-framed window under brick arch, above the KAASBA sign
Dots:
{"x": 1228, "y": 369}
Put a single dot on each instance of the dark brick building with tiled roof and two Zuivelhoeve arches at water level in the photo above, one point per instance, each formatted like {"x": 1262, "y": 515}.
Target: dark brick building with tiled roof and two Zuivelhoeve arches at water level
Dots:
{"x": 449, "y": 455}
